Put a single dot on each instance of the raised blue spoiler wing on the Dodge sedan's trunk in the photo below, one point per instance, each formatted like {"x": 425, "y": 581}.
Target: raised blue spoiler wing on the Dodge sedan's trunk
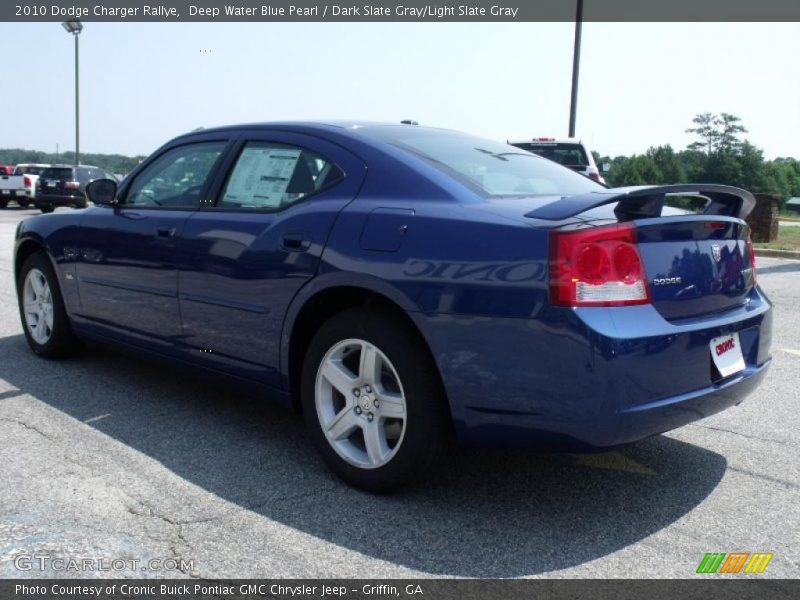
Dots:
{"x": 640, "y": 202}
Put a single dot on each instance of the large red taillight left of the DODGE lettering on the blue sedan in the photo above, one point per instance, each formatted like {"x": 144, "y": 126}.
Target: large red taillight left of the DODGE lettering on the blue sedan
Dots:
{"x": 600, "y": 266}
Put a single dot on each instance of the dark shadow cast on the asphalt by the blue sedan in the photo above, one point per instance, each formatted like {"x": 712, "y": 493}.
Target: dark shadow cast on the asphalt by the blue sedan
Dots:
{"x": 487, "y": 513}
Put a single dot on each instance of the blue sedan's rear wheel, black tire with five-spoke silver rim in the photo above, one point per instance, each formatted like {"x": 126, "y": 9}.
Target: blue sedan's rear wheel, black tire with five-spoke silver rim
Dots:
{"x": 408, "y": 386}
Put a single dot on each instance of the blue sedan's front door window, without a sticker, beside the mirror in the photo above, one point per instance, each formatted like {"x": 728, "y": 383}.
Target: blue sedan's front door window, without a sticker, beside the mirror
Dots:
{"x": 176, "y": 178}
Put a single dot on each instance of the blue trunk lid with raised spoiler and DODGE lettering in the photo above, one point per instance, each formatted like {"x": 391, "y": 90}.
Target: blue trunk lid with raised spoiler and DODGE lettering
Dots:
{"x": 692, "y": 239}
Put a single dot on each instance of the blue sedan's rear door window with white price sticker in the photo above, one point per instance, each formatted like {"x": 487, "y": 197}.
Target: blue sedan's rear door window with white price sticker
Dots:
{"x": 272, "y": 176}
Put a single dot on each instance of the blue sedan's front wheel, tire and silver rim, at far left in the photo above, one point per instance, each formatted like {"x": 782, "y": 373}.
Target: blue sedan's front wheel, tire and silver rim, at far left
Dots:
{"x": 37, "y": 281}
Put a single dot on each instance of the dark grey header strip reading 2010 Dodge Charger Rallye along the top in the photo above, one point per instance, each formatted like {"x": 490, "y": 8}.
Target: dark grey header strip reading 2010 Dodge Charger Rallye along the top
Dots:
{"x": 420, "y": 11}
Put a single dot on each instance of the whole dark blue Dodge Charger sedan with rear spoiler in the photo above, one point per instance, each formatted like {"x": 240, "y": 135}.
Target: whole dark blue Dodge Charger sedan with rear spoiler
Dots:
{"x": 396, "y": 283}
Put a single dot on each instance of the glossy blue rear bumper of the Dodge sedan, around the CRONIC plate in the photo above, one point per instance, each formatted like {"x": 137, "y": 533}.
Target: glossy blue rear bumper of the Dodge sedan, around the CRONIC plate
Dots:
{"x": 590, "y": 378}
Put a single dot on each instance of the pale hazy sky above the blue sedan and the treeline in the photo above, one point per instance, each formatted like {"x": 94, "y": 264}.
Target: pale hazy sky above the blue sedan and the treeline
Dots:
{"x": 640, "y": 83}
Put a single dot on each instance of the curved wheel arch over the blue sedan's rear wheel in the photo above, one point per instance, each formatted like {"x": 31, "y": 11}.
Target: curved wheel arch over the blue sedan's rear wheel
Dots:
{"x": 326, "y": 299}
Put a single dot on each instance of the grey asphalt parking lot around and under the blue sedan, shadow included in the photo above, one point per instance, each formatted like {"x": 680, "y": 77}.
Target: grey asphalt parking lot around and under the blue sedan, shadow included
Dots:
{"x": 104, "y": 456}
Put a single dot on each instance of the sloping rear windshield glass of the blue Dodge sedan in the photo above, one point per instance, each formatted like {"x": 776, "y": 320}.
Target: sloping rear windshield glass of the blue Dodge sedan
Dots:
{"x": 493, "y": 169}
